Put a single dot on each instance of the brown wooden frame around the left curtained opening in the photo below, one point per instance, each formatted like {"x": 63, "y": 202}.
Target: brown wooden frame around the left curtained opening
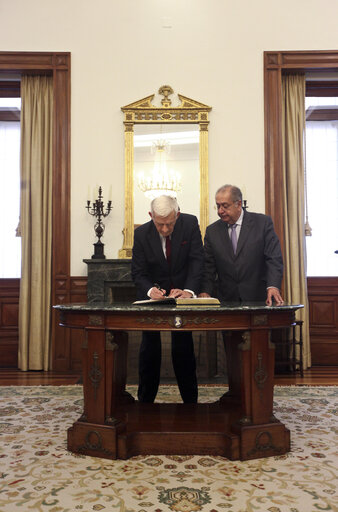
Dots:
{"x": 57, "y": 65}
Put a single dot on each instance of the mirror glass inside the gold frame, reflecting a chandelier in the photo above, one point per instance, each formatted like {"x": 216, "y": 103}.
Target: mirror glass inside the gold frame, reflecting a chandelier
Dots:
{"x": 166, "y": 160}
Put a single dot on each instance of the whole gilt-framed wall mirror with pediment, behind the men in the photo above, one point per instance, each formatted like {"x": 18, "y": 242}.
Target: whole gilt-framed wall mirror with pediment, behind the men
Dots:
{"x": 170, "y": 142}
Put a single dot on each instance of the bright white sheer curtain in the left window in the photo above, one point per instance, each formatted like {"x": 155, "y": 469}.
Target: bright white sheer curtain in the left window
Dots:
{"x": 10, "y": 245}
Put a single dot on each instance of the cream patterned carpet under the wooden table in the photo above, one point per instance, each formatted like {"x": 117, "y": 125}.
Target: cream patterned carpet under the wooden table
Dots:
{"x": 37, "y": 473}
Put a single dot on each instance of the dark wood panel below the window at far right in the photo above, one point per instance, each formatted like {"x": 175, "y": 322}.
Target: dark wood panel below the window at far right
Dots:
{"x": 323, "y": 311}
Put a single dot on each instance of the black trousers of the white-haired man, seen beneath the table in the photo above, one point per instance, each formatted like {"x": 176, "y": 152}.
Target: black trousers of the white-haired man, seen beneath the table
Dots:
{"x": 183, "y": 358}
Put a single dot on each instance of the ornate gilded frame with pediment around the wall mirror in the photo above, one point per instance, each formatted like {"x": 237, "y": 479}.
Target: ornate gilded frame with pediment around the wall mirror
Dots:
{"x": 144, "y": 112}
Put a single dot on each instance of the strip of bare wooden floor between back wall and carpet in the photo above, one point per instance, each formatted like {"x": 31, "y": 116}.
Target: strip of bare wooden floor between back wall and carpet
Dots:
{"x": 315, "y": 376}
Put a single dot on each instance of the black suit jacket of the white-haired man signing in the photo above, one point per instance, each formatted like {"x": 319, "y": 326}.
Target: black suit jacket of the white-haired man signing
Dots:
{"x": 150, "y": 266}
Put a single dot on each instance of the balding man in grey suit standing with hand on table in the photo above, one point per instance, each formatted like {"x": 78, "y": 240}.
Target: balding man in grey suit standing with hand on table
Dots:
{"x": 242, "y": 253}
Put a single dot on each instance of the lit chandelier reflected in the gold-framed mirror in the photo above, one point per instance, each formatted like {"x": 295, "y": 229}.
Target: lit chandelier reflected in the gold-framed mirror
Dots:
{"x": 162, "y": 179}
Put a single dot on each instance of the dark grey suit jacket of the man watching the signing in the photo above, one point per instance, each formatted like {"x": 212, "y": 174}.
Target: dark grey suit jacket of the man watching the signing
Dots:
{"x": 258, "y": 262}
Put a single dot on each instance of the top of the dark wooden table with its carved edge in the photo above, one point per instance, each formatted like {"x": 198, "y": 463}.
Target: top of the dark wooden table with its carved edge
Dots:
{"x": 126, "y": 316}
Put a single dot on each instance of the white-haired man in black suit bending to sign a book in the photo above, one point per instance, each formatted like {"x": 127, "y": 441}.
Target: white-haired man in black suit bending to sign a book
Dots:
{"x": 167, "y": 259}
